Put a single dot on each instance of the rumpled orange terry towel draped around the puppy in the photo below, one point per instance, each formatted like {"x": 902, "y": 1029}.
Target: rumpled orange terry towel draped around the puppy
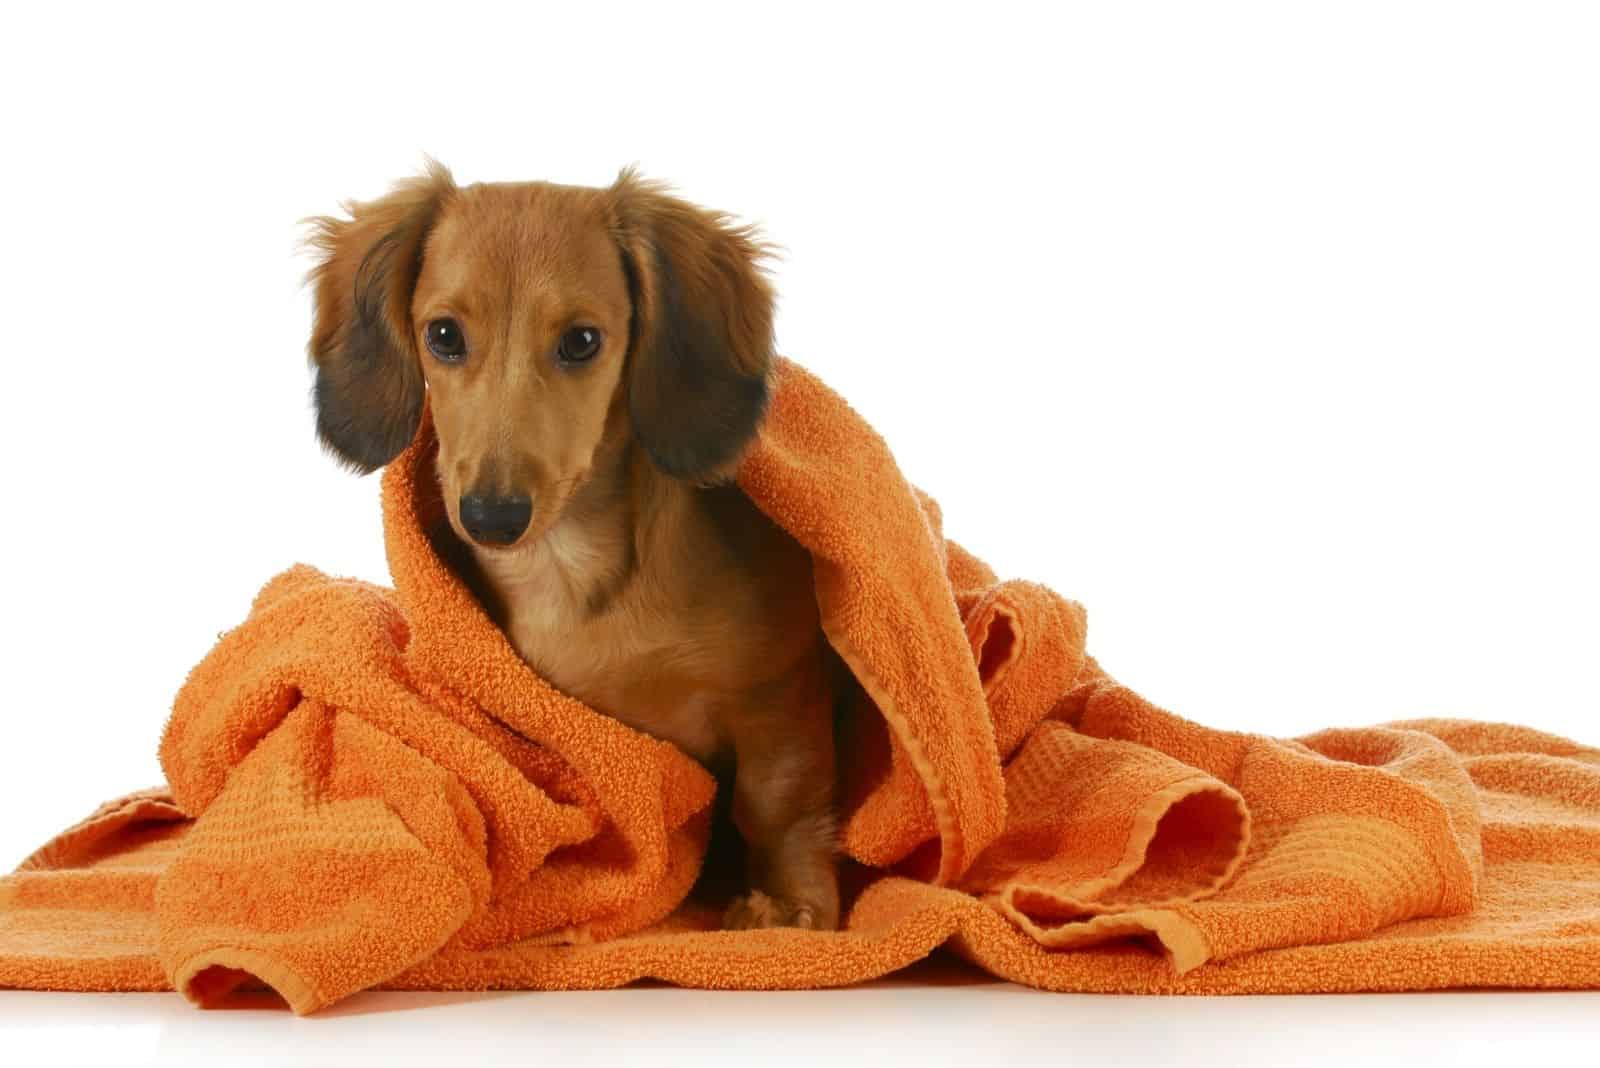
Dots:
{"x": 369, "y": 789}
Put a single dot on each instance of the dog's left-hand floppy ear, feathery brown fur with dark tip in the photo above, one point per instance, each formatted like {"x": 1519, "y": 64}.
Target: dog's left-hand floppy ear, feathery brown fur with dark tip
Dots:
{"x": 370, "y": 386}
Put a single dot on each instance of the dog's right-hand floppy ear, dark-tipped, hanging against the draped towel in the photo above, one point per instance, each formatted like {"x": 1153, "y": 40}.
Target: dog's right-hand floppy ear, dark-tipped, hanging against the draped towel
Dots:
{"x": 702, "y": 348}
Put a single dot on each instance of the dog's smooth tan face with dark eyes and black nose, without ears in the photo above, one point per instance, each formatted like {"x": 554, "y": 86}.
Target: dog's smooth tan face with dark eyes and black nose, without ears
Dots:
{"x": 521, "y": 317}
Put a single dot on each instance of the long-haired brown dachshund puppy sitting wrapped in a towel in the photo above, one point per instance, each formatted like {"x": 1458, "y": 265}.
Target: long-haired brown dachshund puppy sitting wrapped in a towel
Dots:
{"x": 598, "y": 361}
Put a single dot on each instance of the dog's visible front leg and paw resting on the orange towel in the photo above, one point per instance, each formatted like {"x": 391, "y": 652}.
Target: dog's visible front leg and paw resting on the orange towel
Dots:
{"x": 783, "y": 805}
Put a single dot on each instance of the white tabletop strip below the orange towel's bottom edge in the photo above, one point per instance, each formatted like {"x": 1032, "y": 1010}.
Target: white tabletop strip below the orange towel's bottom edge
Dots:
{"x": 892, "y": 1022}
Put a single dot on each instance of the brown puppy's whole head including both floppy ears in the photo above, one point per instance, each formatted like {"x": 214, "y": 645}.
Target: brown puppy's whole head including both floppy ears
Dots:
{"x": 546, "y": 324}
